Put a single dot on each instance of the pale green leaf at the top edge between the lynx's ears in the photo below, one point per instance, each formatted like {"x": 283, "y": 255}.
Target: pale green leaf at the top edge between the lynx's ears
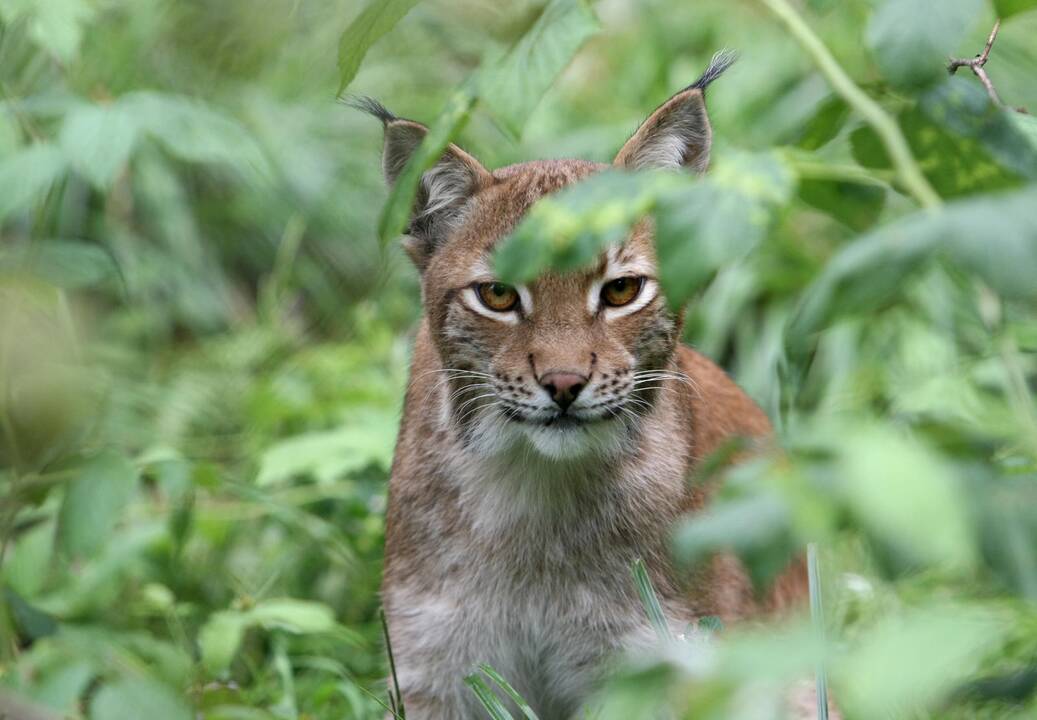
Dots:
{"x": 514, "y": 87}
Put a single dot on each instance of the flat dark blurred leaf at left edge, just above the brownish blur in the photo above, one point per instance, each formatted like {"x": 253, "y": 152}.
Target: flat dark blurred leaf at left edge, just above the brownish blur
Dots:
{"x": 67, "y": 264}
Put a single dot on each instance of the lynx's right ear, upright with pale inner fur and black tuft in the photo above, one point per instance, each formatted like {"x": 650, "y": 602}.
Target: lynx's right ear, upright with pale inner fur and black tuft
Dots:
{"x": 679, "y": 133}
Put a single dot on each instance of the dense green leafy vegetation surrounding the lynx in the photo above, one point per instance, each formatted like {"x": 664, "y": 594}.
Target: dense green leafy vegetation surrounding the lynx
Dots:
{"x": 205, "y": 325}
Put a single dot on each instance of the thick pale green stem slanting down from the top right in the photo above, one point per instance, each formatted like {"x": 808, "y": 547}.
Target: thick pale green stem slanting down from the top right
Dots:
{"x": 908, "y": 171}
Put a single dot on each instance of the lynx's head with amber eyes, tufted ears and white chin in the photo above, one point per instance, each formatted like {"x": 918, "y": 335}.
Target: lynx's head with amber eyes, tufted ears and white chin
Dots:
{"x": 568, "y": 365}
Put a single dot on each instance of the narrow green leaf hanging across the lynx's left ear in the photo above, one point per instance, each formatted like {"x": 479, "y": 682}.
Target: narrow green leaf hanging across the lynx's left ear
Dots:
{"x": 447, "y": 126}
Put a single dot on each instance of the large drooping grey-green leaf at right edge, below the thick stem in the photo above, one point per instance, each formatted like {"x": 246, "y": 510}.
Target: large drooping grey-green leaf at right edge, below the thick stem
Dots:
{"x": 995, "y": 237}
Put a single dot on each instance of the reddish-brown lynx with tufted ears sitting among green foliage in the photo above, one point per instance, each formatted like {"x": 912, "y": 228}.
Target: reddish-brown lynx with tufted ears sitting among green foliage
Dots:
{"x": 549, "y": 435}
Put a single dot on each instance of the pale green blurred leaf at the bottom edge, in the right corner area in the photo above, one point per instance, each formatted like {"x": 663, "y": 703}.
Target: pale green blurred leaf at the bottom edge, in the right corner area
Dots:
{"x": 909, "y": 662}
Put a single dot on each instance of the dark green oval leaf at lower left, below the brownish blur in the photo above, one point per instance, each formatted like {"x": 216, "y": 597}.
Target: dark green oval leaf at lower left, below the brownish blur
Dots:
{"x": 94, "y": 504}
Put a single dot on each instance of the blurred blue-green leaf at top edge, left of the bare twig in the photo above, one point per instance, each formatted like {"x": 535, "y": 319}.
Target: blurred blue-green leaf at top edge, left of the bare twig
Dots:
{"x": 912, "y": 40}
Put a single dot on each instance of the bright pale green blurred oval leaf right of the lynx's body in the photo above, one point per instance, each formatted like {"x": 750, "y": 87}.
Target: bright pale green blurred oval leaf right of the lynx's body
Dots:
{"x": 910, "y": 503}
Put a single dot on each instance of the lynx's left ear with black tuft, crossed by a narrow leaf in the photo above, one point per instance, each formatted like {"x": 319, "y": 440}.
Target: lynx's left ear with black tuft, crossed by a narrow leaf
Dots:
{"x": 444, "y": 189}
